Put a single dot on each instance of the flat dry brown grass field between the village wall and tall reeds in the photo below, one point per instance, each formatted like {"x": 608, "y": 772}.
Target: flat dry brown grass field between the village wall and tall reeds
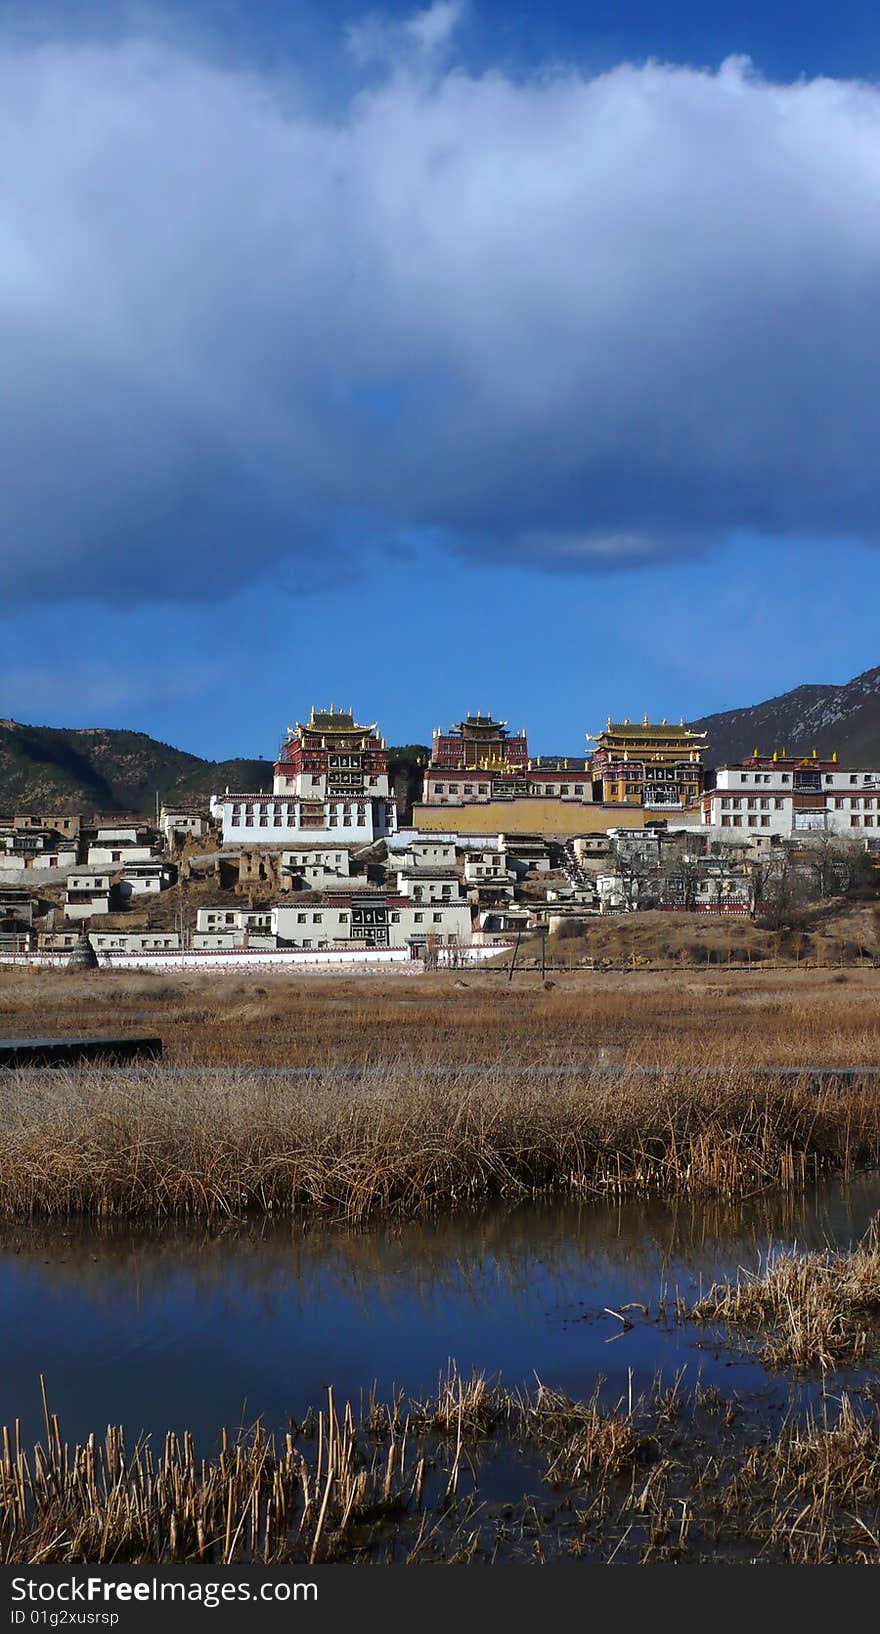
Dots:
{"x": 469, "y": 1017}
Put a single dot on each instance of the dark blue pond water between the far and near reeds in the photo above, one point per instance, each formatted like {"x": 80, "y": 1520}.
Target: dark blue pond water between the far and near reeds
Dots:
{"x": 180, "y": 1331}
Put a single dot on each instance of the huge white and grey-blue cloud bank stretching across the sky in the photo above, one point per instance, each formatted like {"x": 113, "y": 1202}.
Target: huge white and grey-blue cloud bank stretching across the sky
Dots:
{"x": 577, "y": 321}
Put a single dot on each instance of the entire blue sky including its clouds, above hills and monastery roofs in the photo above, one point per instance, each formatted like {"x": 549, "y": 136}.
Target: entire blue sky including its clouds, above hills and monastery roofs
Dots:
{"x": 433, "y": 359}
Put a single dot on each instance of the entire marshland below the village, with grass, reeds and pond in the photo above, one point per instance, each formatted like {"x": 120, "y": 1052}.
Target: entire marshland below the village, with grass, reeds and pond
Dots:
{"x": 587, "y": 1275}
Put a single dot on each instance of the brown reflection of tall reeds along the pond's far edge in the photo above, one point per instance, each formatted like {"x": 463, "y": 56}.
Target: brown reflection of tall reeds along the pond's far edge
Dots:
{"x": 469, "y": 1254}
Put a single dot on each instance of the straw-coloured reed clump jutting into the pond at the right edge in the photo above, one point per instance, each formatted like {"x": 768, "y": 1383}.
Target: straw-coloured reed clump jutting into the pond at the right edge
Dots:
{"x": 816, "y": 1310}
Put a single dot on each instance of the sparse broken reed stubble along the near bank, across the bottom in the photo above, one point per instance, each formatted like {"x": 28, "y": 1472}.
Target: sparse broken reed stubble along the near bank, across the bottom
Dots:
{"x": 662, "y": 1478}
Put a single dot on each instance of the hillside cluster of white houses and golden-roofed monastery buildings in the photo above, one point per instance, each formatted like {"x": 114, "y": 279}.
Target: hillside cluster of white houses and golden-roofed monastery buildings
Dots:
{"x": 500, "y": 842}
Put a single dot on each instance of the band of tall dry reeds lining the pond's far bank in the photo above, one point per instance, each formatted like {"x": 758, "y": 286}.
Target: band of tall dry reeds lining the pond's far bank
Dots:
{"x": 398, "y": 1141}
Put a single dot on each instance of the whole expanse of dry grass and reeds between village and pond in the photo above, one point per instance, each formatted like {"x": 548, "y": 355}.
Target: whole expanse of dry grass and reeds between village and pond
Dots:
{"x": 448, "y": 1104}
